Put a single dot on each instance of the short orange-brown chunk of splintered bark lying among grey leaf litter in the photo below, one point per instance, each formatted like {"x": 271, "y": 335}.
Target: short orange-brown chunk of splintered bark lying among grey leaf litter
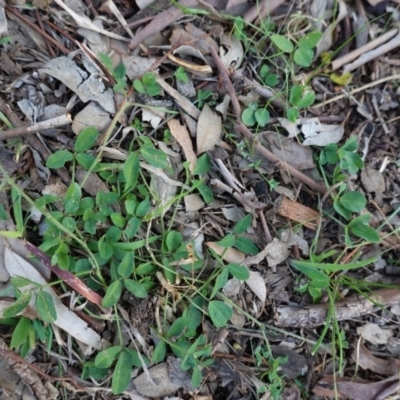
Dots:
{"x": 297, "y": 212}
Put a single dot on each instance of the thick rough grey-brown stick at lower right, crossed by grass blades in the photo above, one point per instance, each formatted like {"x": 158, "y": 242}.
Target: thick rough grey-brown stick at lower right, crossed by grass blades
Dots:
{"x": 353, "y": 307}
